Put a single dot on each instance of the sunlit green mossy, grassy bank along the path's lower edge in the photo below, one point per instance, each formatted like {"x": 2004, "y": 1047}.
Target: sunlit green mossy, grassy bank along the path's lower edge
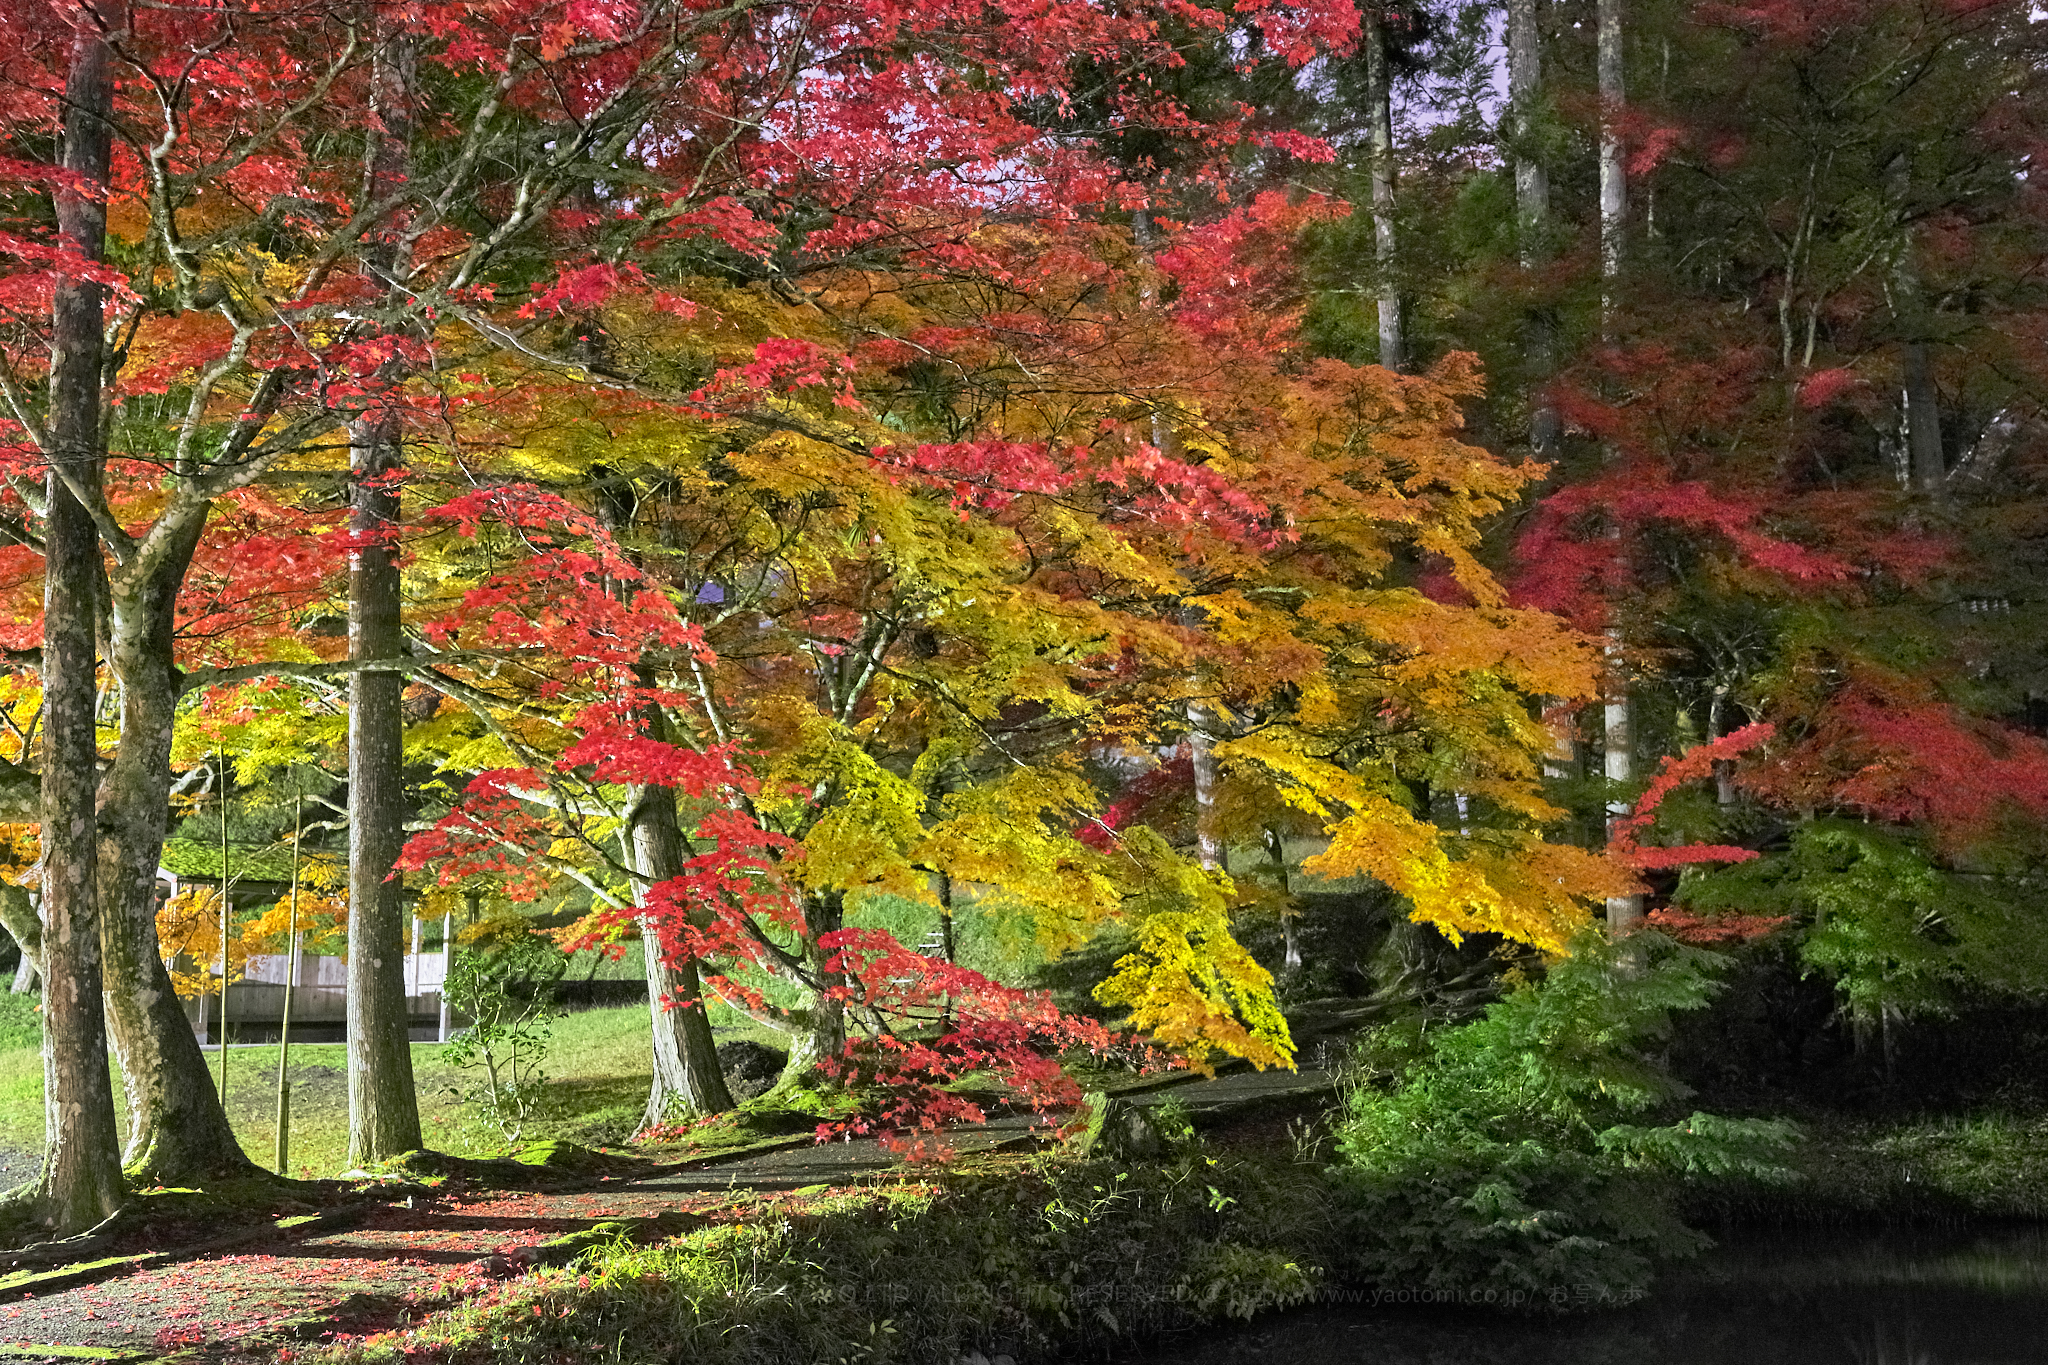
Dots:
{"x": 1009, "y": 1258}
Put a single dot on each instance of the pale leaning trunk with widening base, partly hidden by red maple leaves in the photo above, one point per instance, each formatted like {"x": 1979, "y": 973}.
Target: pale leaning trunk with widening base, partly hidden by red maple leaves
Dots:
{"x": 687, "y": 1075}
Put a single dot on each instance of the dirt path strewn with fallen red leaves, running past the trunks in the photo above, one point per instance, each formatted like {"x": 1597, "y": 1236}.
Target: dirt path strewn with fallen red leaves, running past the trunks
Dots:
{"x": 402, "y": 1260}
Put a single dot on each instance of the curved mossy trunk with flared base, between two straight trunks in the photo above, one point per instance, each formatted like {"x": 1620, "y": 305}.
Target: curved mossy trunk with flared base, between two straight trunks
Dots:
{"x": 179, "y": 1135}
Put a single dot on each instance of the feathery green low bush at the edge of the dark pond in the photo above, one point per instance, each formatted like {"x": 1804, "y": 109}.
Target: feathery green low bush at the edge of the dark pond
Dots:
{"x": 1537, "y": 1155}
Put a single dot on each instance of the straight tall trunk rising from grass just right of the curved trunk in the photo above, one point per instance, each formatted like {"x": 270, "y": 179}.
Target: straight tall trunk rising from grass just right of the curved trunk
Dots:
{"x": 384, "y": 1112}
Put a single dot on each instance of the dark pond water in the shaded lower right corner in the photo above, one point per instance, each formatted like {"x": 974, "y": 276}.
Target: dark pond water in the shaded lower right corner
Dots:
{"x": 1900, "y": 1298}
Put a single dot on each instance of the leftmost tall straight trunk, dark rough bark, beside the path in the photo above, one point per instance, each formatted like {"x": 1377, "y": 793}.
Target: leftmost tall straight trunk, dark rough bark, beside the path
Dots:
{"x": 83, "y": 1161}
